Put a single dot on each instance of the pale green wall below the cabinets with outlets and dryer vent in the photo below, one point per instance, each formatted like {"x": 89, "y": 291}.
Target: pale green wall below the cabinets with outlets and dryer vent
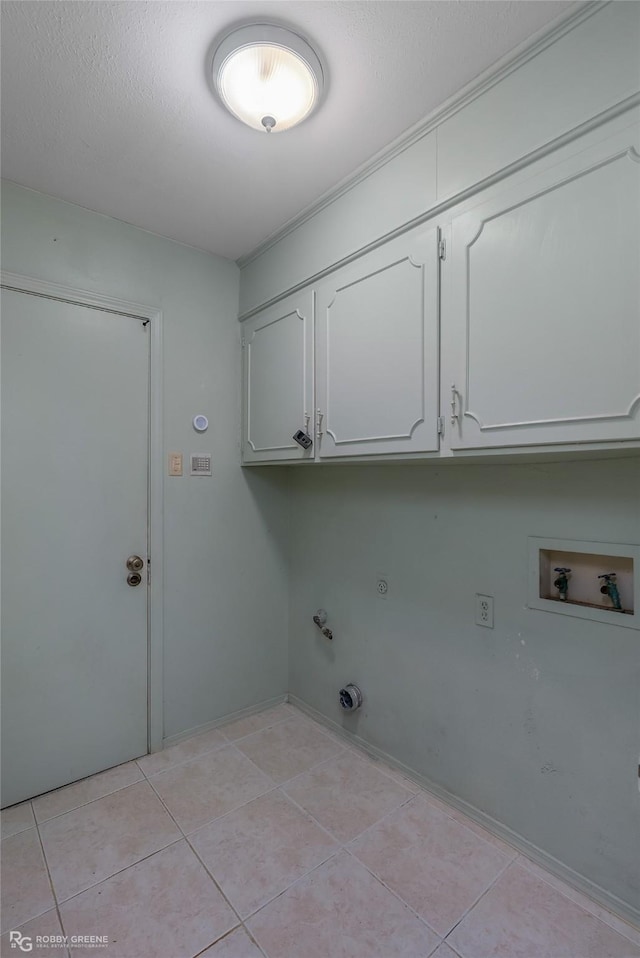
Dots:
{"x": 534, "y": 722}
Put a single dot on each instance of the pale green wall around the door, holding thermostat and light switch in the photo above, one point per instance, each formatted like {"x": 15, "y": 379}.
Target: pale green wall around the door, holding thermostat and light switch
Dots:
{"x": 225, "y": 587}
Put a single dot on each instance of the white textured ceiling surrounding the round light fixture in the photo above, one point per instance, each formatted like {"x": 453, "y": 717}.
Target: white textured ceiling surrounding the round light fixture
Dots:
{"x": 108, "y": 105}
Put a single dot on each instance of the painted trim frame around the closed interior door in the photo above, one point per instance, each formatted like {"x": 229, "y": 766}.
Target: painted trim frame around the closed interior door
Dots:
{"x": 155, "y": 526}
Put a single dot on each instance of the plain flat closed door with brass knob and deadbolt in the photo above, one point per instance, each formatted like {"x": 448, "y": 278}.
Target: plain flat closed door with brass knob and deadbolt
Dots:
{"x": 75, "y": 388}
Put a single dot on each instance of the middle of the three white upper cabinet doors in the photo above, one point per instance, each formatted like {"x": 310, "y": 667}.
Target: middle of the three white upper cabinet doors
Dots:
{"x": 377, "y": 351}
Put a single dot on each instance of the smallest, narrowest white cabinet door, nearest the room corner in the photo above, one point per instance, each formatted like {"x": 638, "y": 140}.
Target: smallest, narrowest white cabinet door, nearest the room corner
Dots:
{"x": 278, "y": 380}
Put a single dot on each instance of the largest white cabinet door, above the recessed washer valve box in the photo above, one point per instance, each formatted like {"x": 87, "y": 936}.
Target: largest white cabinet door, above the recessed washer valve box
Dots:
{"x": 541, "y": 305}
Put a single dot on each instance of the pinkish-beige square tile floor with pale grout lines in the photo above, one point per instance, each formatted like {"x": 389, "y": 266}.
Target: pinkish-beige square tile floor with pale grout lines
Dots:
{"x": 272, "y": 837}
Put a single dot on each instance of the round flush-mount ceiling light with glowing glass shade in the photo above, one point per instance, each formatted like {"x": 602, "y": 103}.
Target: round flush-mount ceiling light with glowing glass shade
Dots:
{"x": 267, "y": 76}
